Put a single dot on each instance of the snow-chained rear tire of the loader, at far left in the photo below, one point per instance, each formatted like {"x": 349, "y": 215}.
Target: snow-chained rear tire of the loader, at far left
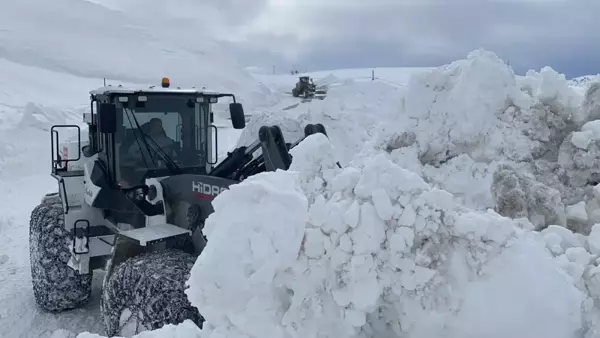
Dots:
{"x": 56, "y": 286}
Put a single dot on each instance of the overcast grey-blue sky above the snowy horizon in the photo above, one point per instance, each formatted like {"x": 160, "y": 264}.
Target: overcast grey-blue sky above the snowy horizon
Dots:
{"x": 325, "y": 34}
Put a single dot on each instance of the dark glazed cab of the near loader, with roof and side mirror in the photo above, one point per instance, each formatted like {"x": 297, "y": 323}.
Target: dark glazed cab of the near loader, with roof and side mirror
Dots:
{"x": 154, "y": 132}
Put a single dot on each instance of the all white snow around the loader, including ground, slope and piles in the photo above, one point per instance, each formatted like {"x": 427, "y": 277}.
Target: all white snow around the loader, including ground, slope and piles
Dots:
{"x": 465, "y": 206}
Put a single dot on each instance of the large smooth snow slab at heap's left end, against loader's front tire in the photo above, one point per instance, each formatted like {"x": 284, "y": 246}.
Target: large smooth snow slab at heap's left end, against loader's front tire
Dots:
{"x": 262, "y": 220}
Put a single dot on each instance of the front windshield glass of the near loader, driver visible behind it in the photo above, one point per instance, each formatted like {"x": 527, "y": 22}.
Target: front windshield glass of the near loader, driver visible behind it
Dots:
{"x": 161, "y": 133}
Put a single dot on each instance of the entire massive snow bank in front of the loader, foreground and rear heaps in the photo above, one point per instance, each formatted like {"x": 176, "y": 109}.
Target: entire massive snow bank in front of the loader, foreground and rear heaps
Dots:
{"x": 401, "y": 241}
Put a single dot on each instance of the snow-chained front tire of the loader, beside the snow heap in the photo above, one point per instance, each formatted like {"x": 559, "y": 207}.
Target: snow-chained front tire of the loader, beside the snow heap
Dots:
{"x": 147, "y": 292}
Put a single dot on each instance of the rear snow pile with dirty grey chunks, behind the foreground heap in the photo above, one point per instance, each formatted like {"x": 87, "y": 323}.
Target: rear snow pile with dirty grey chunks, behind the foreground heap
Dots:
{"x": 463, "y": 123}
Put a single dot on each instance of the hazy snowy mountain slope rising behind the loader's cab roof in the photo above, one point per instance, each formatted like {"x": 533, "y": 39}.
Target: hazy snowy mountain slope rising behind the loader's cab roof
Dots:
{"x": 91, "y": 41}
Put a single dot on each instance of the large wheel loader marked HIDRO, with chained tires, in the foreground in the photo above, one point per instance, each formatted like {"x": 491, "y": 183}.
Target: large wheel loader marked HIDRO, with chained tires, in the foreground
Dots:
{"x": 132, "y": 199}
